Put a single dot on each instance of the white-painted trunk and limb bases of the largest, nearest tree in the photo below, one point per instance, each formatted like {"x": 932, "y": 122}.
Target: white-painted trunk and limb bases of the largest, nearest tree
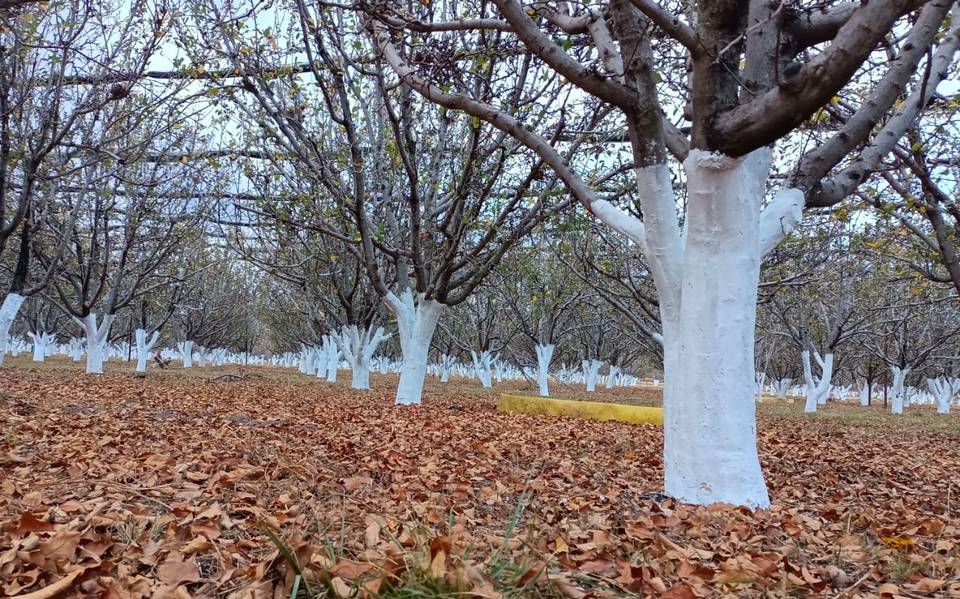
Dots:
{"x": 706, "y": 279}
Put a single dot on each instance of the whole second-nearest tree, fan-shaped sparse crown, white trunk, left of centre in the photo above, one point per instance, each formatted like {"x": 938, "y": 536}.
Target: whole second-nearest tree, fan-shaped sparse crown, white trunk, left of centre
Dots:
{"x": 440, "y": 197}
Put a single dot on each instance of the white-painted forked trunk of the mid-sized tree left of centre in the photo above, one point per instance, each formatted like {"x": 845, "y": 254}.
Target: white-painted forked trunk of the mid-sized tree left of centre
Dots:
{"x": 416, "y": 323}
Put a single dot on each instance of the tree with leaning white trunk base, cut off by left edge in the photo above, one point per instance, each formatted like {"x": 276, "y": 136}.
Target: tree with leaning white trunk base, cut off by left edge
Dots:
{"x": 45, "y": 117}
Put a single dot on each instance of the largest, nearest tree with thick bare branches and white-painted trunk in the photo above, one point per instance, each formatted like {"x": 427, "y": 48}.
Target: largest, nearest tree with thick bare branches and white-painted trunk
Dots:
{"x": 758, "y": 73}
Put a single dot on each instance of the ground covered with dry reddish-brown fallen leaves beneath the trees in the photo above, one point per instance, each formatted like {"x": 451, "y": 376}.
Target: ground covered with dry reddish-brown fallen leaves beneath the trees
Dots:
{"x": 266, "y": 483}
